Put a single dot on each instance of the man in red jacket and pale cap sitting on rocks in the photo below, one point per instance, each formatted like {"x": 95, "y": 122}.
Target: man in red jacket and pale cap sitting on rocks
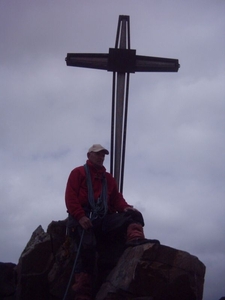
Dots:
{"x": 97, "y": 212}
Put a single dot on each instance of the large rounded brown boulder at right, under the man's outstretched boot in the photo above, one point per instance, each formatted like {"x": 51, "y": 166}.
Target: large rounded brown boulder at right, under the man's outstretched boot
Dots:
{"x": 156, "y": 271}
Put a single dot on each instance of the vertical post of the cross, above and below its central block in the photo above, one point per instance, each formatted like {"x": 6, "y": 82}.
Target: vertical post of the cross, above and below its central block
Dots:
{"x": 120, "y": 106}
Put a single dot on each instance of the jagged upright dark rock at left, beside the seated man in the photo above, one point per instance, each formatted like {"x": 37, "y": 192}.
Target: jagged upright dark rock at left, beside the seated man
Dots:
{"x": 37, "y": 260}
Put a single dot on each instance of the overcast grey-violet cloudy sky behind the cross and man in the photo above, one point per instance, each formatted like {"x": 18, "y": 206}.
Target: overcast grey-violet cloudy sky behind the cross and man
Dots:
{"x": 50, "y": 114}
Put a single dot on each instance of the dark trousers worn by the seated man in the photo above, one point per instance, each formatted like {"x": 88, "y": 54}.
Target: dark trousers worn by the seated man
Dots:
{"x": 104, "y": 242}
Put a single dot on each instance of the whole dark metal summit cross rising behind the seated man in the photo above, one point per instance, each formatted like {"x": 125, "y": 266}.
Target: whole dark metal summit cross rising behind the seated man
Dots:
{"x": 122, "y": 61}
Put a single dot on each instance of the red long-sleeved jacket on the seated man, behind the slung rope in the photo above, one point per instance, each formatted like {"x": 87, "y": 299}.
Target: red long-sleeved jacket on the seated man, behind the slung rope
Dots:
{"x": 77, "y": 191}
